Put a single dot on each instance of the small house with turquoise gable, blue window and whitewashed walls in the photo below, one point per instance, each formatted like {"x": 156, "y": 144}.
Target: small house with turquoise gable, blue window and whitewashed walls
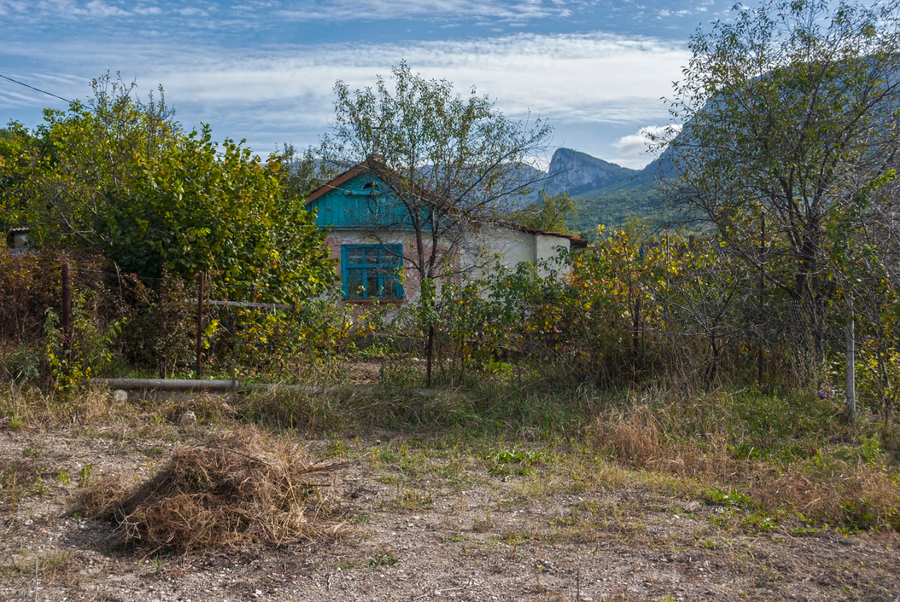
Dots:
{"x": 373, "y": 238}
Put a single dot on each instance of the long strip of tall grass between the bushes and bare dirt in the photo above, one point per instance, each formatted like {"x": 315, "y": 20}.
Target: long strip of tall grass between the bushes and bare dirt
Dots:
{"x": 787, "y": 452}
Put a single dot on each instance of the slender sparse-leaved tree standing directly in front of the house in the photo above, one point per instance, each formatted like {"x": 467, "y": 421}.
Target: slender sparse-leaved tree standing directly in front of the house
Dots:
{"x": 450, "y": 161}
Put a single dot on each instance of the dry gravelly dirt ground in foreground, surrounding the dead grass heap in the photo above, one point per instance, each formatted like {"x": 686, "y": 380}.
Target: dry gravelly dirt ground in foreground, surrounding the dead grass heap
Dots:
{"x": 456, "y": 531}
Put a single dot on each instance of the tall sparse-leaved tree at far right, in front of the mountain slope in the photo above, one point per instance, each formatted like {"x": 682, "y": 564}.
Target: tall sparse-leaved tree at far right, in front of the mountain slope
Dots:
{"x": 790, "y": 112}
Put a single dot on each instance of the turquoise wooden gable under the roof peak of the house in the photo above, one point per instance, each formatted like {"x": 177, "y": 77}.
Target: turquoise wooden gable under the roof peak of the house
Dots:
{"x": 359, "y": 203}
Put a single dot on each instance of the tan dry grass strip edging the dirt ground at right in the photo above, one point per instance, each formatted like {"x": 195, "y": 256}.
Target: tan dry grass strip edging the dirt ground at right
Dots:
{"x": 851, "y": 491}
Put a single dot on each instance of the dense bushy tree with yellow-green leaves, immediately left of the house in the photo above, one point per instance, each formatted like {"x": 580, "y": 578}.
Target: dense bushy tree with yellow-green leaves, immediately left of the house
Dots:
{"x": 202, "y": 209}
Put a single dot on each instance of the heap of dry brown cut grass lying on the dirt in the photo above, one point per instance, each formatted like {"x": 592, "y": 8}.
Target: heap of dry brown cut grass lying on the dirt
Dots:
{"x": 240, "y": 488}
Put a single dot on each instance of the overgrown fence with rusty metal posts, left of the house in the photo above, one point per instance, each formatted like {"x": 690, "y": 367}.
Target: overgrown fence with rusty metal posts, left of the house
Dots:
{"x": 75, "y": 310}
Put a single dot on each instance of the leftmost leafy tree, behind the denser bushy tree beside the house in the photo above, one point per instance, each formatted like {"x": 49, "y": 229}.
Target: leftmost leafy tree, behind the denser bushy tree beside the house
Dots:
{"x": 73, "y": 168}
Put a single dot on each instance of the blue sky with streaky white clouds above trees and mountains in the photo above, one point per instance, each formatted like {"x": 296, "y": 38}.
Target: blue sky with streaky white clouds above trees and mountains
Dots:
{"x": 264, "y": 70}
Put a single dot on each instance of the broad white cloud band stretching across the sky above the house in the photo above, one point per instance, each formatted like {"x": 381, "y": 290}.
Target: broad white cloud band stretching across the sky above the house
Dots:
{"x": 591, "y": 77}
